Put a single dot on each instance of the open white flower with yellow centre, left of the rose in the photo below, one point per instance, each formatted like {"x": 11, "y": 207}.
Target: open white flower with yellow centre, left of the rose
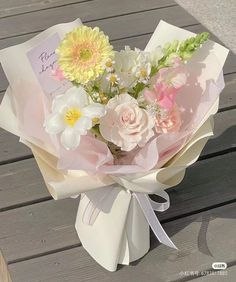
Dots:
{"x": 72, "y": 115}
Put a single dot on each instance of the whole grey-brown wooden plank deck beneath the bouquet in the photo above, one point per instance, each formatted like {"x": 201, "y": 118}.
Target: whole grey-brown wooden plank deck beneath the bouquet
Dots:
{"x": 37, "y": 234}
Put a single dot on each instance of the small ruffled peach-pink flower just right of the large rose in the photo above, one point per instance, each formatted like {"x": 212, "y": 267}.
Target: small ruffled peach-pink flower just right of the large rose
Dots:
{"x": 168, "y": 122}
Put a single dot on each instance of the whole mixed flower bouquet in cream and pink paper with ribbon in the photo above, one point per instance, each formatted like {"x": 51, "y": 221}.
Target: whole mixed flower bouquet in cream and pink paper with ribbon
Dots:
{"x": 113, "y": 127}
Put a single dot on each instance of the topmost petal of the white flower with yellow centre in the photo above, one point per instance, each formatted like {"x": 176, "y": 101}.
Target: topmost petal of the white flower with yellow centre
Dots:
{"x": 77, "y": 96}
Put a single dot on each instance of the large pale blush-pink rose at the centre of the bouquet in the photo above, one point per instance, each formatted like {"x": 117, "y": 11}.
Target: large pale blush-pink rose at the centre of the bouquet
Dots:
{"x": 125, "y": 123}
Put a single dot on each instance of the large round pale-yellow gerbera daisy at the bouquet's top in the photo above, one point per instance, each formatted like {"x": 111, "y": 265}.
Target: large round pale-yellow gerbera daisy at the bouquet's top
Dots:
{"x": 82, "y": 54}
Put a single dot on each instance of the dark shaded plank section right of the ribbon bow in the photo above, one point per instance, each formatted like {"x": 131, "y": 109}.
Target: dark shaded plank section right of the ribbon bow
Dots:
{"x": 206, "y": 184}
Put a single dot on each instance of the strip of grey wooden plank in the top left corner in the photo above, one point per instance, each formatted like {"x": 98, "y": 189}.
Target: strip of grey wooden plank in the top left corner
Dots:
{"x": 14, "y": 7}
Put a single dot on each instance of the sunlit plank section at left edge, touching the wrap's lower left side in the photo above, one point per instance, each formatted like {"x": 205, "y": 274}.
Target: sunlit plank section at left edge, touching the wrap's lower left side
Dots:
{"x": 21, "y": 184}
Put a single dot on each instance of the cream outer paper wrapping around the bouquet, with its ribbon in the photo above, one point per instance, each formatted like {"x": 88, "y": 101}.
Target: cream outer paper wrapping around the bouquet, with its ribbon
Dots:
{"x": 114, "y": 212}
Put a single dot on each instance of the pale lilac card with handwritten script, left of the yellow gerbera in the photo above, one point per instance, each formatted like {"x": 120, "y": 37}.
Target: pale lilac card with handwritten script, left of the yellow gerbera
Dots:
{"x": 43, "y": 60}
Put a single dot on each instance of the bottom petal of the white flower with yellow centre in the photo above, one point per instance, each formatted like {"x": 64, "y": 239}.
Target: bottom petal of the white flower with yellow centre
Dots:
{"x": 70, "y": 138}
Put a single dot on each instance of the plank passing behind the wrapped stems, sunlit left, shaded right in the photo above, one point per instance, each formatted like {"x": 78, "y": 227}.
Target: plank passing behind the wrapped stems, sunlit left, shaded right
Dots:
{"x": 50, "y": 225}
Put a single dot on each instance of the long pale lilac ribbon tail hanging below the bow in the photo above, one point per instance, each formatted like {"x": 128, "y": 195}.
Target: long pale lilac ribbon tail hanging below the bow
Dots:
{"x": 153, "y": 221}
